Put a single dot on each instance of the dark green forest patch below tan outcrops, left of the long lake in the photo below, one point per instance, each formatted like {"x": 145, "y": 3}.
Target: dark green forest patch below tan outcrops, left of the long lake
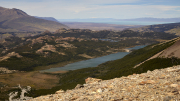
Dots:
{"x": 31, "y": 60}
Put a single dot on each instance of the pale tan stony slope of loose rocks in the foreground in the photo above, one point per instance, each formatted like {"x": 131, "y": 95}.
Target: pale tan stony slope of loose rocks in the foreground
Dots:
{"x": 157, "y": 85}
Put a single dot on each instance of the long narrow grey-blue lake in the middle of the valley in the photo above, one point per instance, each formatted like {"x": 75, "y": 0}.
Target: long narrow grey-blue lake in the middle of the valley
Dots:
{"x": 92, "y": 62}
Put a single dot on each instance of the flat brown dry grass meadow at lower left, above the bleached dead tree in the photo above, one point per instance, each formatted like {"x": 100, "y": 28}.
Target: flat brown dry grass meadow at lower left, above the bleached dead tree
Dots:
{"x": 33, "y": 79}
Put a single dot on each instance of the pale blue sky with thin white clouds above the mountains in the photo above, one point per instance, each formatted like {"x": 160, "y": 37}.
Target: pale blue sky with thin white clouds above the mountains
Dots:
{"x": 83, "y": 9}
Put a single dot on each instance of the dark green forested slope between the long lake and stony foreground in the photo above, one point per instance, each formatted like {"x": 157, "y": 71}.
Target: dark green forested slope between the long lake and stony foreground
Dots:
{"x": 112, "y": 69}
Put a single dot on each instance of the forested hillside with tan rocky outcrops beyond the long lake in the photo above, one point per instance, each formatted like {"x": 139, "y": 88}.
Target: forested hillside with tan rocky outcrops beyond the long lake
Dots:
{"x": 68, "y": 45}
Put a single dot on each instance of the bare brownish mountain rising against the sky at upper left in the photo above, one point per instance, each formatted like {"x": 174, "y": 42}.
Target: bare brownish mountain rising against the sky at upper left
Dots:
{"x": 13, "y": 20}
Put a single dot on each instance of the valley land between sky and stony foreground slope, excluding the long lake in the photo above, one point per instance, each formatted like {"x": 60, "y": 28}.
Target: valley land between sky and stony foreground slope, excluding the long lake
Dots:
{"x": 30, "y": 44}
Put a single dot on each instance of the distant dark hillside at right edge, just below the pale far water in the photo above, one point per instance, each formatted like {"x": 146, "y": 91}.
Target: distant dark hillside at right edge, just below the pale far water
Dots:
{"x": 172, "y": 28}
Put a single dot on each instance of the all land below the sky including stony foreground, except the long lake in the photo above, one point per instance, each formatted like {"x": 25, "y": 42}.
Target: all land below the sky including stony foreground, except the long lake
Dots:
{"x": 29, "y": 44}
